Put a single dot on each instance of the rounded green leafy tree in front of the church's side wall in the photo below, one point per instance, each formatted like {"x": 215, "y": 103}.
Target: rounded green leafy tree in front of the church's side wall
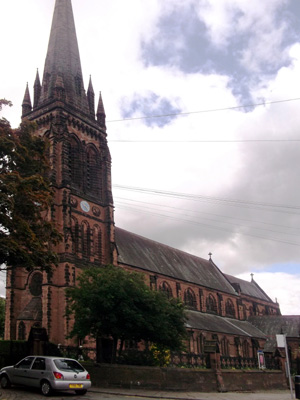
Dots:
{"x": 112, "y": 302}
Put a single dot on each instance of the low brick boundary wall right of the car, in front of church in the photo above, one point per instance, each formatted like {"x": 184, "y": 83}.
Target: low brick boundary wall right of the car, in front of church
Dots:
{"x": 156, "y": 378}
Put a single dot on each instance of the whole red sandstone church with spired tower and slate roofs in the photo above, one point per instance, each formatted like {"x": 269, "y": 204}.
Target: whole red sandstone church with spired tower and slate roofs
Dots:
{"x": 220, "y": 306}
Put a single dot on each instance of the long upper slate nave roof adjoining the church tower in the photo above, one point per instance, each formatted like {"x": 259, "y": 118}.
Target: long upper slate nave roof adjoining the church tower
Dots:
{"x": 146, "y": 254}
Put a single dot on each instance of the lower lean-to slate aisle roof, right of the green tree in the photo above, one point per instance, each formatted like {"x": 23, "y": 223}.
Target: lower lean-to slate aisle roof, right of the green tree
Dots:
{"x": 215, "y": 323}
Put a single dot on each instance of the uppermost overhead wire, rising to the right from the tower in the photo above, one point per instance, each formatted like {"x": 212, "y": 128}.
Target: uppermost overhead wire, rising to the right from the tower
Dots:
{"x": 205, "y": 111}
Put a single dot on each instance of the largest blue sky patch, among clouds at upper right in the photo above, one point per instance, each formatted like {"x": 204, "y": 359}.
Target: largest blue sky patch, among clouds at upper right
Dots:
{"x": 182, "y": 41}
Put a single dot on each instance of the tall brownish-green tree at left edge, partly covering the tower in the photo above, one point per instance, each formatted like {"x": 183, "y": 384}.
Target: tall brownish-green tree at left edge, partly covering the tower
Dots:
{"x": 27, "y": 235}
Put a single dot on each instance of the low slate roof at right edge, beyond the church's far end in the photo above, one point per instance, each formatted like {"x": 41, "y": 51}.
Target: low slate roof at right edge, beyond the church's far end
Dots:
{"x": 273, "y": 325}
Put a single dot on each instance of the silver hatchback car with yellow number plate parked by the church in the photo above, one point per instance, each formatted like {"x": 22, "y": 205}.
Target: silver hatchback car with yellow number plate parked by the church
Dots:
{"x": 48, "y": 374}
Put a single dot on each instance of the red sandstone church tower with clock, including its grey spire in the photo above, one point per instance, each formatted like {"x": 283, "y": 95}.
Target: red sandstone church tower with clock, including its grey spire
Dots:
{"x": 81, "y": 178}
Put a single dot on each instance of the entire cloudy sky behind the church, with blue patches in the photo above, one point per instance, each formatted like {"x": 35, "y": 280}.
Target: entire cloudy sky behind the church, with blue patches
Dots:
{"x": 202, "y": 101}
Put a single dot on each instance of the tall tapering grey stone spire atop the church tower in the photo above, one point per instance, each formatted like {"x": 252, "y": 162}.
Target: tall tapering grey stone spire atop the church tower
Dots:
{"x": 63, "y": 61}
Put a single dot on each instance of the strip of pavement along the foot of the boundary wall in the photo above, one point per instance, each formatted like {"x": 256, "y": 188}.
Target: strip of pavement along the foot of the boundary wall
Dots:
{"x": 152, "y": 394}
